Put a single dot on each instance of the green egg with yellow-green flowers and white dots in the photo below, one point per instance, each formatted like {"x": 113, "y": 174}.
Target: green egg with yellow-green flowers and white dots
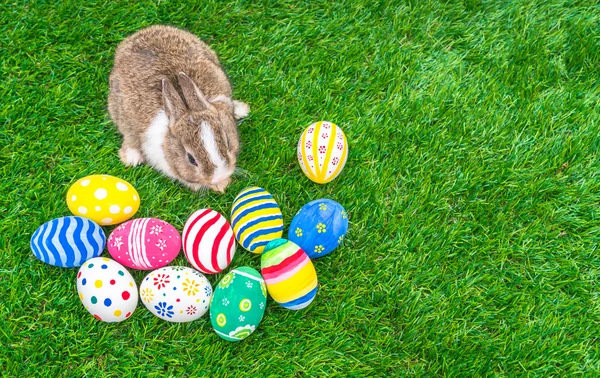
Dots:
{"x": 239, "y": 304}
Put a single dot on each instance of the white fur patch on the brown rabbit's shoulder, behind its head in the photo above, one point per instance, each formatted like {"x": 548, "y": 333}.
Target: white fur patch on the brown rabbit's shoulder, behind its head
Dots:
{"x": 153, "y": 143}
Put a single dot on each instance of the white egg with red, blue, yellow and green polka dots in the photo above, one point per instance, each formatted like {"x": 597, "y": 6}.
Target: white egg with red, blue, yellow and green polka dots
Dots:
{"x": 106, "y": 289}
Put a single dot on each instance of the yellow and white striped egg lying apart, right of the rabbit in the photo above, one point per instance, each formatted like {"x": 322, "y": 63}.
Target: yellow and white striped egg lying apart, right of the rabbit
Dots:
{"x": 322, "y": 151}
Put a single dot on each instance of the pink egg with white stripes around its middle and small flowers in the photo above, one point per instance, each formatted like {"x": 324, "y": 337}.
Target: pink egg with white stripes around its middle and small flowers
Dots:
{"x": 144, "y": 243}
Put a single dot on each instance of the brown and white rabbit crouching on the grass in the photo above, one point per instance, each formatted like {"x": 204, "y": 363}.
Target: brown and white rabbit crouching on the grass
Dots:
{"x": 172, "y": 102}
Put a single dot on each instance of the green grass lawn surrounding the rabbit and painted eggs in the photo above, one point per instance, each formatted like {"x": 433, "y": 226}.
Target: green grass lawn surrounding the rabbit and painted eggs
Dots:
{"x": 472, "y": 185}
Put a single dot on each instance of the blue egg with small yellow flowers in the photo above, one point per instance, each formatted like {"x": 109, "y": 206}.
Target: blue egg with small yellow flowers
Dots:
{"x": 319, "y": 227}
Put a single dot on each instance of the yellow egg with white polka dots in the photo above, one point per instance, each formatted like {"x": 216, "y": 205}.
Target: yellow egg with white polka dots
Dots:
{"x": 104, "y": 199}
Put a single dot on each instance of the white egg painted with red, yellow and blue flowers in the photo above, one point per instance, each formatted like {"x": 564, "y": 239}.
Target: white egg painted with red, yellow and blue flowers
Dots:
{"x": 176, "y": 294}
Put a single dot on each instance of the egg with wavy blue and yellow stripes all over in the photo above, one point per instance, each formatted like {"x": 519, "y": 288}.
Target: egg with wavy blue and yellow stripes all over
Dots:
{"x": 256, "y": 219}
